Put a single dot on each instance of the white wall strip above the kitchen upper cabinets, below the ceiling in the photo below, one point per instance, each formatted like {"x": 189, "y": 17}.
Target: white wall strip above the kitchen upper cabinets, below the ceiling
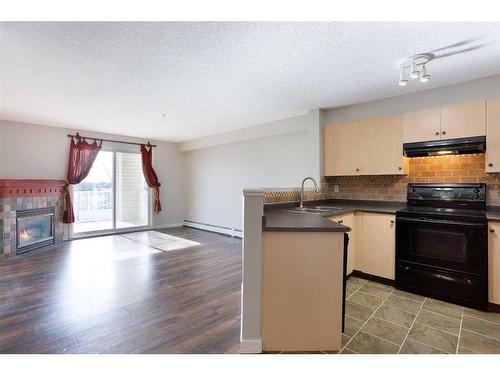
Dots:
{"x": 458, "y": 93}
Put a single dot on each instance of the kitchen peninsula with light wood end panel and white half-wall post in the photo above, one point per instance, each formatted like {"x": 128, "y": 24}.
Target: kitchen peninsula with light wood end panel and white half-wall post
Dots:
{"x": 293, "y": 272}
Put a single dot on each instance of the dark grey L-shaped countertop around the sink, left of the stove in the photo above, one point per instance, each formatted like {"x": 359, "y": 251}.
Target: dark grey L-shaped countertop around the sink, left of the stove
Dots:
{"x": 277, "y": 219}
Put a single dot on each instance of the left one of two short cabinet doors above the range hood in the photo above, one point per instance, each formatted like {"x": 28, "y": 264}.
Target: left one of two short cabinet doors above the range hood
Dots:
{"x": 422, "y": 125}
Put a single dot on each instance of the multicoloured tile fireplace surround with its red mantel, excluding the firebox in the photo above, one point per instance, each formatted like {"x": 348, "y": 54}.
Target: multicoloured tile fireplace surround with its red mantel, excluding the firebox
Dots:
{"x": 22, "y": 195}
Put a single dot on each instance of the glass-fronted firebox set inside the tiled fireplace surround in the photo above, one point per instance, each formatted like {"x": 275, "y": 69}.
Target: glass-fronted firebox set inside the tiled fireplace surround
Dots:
{"x": 35, "y": 229}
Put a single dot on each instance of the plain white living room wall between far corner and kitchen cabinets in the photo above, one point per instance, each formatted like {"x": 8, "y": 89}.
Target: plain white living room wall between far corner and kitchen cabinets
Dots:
{"x": 215, "y": 175}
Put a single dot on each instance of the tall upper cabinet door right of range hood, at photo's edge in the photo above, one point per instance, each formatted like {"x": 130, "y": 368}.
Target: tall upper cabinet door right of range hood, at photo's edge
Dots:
{"x": 493, "y": 135}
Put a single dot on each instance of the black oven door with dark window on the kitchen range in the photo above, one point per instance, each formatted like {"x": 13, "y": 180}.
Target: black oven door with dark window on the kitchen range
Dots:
{"x": 453, "y": 245}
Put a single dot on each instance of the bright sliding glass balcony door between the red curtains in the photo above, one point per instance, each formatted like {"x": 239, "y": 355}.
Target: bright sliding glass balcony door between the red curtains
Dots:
{"x": 114, "y": 196}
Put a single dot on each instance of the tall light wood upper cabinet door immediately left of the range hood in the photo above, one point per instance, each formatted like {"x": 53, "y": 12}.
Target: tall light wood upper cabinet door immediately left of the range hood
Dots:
{"x": 390, "y": 148}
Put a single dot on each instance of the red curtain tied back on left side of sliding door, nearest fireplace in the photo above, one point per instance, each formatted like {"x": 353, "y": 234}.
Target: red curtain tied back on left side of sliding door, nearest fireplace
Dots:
{"x": 81, "y": 158}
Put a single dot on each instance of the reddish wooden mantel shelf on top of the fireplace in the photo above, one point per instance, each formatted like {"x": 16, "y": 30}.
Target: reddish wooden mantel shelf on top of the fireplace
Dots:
{"x": 15, "y": 188}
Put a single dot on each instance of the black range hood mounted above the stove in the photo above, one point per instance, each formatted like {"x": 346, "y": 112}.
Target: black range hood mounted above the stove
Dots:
{"x": 471, "y": 145}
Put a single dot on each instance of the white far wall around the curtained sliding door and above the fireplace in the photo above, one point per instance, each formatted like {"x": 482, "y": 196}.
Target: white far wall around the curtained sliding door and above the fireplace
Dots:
{"x": 36, "y": 151}
